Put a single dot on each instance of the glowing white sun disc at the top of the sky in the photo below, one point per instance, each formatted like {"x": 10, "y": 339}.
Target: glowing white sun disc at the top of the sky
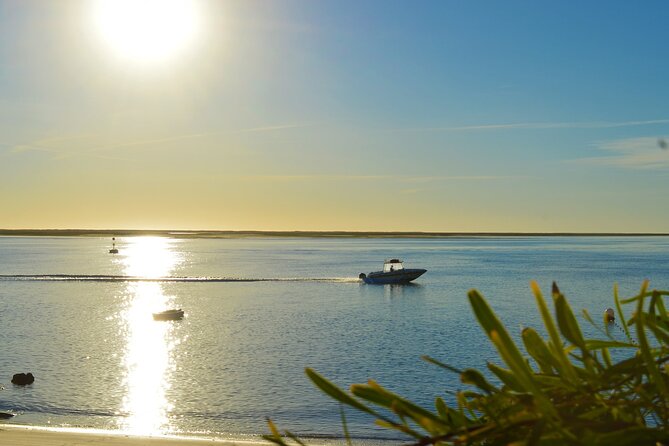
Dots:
{"x": 147, "y": 31}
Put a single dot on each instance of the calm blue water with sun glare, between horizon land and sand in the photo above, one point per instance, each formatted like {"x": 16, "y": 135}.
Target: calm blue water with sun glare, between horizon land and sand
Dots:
{"x": 260, "y": 310}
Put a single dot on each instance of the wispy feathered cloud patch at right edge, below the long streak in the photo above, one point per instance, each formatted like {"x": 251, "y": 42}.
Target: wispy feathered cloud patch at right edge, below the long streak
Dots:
{"x": 631, "y": 153}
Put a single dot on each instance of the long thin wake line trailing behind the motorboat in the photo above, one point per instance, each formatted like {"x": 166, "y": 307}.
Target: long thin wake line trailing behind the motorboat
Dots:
{"x": 120, "y": 278}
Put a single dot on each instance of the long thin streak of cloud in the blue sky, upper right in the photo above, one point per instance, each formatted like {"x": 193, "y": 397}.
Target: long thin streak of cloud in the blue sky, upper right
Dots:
{"x": 538, "y": 126}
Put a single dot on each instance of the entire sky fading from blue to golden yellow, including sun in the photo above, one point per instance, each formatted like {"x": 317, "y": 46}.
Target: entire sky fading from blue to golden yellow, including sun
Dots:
{"x": 334, "y": 115}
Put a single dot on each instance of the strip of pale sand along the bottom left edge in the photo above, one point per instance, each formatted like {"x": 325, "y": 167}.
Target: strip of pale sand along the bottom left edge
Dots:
{"x": 30, "y": 436}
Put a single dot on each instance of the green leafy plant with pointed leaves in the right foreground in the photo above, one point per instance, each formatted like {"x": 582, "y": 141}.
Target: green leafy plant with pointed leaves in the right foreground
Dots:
{"x": 568, "y": 391}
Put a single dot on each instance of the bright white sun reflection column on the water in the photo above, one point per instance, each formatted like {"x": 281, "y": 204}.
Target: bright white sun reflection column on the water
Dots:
{"x": 148, "y": 359}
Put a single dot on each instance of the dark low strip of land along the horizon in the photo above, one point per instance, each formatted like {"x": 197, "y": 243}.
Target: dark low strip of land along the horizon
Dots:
{"x": 304, "y": 234}
